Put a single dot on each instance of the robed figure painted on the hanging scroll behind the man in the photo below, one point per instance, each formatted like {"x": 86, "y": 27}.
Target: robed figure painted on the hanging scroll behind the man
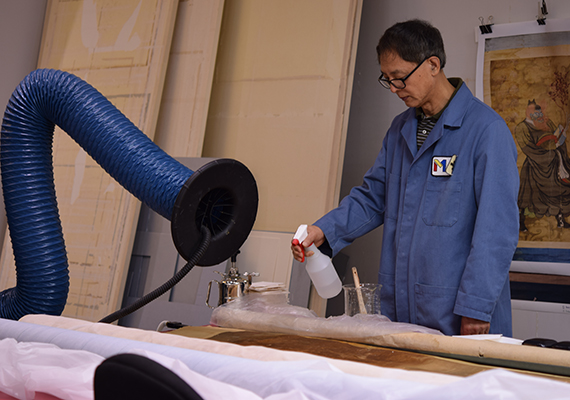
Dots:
{"x": 545, "y": 173}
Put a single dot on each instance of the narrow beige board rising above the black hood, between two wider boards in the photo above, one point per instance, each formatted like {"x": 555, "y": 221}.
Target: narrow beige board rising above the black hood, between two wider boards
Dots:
{"x": 184, "y": 107}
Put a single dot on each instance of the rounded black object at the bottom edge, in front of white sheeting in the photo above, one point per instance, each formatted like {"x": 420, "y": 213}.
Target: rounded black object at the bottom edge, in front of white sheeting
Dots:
{"x": 130, "y": 376}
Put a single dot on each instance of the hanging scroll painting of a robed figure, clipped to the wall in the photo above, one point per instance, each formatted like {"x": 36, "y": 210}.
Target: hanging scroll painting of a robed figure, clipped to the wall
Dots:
{"x": 523, "y": 73}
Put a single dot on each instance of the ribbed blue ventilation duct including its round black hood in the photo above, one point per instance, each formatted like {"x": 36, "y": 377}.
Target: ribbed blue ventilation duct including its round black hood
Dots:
{"x": 221, "y": 195}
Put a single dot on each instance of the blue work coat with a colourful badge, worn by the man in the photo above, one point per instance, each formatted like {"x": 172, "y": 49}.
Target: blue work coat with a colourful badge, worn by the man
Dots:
{"x": 448, "y": 241}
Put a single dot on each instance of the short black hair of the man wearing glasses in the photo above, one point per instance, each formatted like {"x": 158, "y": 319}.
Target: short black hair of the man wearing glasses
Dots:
{"x": 413, "y": 41}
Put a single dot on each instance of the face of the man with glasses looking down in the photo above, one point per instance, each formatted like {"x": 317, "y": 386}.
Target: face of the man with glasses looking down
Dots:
{"x": 418, "y": 85}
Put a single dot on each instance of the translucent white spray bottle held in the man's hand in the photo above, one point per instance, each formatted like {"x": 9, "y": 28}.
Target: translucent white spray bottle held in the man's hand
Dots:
{"x": 319, "y": 267}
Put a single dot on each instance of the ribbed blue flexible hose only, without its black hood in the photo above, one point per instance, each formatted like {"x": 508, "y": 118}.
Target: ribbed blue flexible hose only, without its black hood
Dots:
{"x": 46, "y": 98}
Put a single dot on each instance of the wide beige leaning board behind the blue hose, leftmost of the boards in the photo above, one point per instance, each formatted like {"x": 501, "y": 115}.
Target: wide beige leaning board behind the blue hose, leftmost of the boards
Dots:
{"x": 120, "y": 48}
